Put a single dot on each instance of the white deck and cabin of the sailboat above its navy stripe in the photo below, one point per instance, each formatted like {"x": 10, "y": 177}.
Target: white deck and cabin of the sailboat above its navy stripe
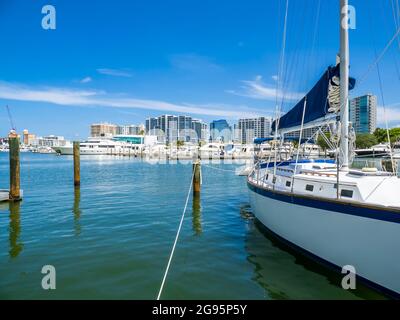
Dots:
{"x": 320, "y": 180}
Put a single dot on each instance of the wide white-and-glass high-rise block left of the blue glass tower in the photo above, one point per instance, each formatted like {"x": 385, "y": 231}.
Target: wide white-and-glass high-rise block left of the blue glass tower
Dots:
{"x": 170, "y": 128}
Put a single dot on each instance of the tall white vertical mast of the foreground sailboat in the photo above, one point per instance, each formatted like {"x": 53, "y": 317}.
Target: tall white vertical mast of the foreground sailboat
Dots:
{"x": 344, "y": 83}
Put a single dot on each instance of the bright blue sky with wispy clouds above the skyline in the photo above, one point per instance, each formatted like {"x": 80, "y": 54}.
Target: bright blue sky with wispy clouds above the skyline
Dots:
{"x": 123, "y": 61}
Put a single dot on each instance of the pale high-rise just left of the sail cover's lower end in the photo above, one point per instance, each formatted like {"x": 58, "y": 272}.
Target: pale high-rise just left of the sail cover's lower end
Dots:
{"x": 252, "y": 128}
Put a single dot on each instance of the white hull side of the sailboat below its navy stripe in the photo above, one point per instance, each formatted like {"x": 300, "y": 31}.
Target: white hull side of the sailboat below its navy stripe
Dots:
{"x": 370, "y": 245}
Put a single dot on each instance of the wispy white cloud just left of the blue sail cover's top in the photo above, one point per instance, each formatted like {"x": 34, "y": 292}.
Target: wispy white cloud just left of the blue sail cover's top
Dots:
{"x": 256, "y": 89}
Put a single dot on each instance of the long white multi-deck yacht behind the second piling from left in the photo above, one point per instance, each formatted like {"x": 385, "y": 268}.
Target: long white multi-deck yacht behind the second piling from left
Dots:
{"x": 101, "y": 146}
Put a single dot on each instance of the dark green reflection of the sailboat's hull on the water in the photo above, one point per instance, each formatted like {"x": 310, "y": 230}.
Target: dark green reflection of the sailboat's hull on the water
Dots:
{"x": 285, "y": 274}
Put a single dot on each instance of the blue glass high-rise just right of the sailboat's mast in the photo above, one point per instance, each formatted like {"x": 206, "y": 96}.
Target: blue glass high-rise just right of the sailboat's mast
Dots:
{"x": 363, "y": 114}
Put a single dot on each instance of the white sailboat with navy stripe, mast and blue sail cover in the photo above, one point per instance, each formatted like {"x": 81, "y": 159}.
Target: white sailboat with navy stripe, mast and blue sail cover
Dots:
{"x": 326, "y": 210}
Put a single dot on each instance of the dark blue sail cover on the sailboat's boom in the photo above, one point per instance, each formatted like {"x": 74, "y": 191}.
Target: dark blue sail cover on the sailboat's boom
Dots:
{"x": 317, "y": 101}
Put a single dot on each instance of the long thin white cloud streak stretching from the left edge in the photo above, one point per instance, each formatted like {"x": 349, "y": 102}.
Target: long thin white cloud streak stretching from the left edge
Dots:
{"x": 74, "y": 97}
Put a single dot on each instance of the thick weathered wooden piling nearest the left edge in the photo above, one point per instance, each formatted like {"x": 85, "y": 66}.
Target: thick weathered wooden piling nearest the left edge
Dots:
{"x": 15, "y": 193}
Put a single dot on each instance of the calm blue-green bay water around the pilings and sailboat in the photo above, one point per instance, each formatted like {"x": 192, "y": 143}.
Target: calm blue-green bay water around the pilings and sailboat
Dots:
{"x": 112, "y": 239}
